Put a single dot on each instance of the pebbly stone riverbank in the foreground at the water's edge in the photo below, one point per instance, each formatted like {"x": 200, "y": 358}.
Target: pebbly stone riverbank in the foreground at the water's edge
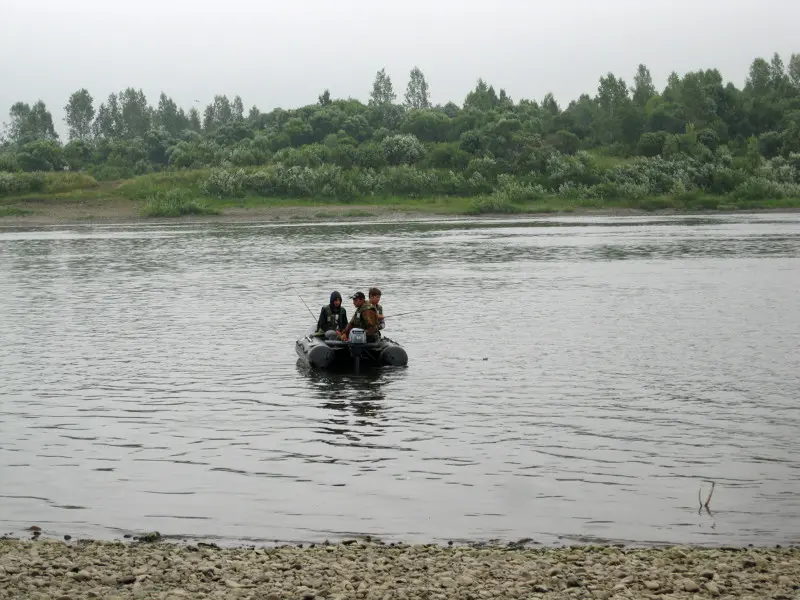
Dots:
{"x": 47, "y": 569}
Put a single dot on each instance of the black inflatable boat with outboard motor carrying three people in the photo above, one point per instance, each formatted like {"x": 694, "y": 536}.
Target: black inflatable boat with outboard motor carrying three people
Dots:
{"x": 316, "y": 351}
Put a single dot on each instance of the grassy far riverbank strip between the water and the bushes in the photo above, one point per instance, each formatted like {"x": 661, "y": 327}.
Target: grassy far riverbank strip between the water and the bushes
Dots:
{"x": 74, "y": 198}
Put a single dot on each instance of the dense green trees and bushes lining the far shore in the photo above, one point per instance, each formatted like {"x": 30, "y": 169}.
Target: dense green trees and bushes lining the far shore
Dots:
{"x": 697, "y": 117}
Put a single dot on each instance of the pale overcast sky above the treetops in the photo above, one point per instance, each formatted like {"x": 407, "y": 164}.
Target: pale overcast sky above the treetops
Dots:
{"x": 284, "y": 54}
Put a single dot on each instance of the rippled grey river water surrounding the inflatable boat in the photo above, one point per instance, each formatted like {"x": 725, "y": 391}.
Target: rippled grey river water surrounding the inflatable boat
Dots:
{"x": 574, "y": 378}
